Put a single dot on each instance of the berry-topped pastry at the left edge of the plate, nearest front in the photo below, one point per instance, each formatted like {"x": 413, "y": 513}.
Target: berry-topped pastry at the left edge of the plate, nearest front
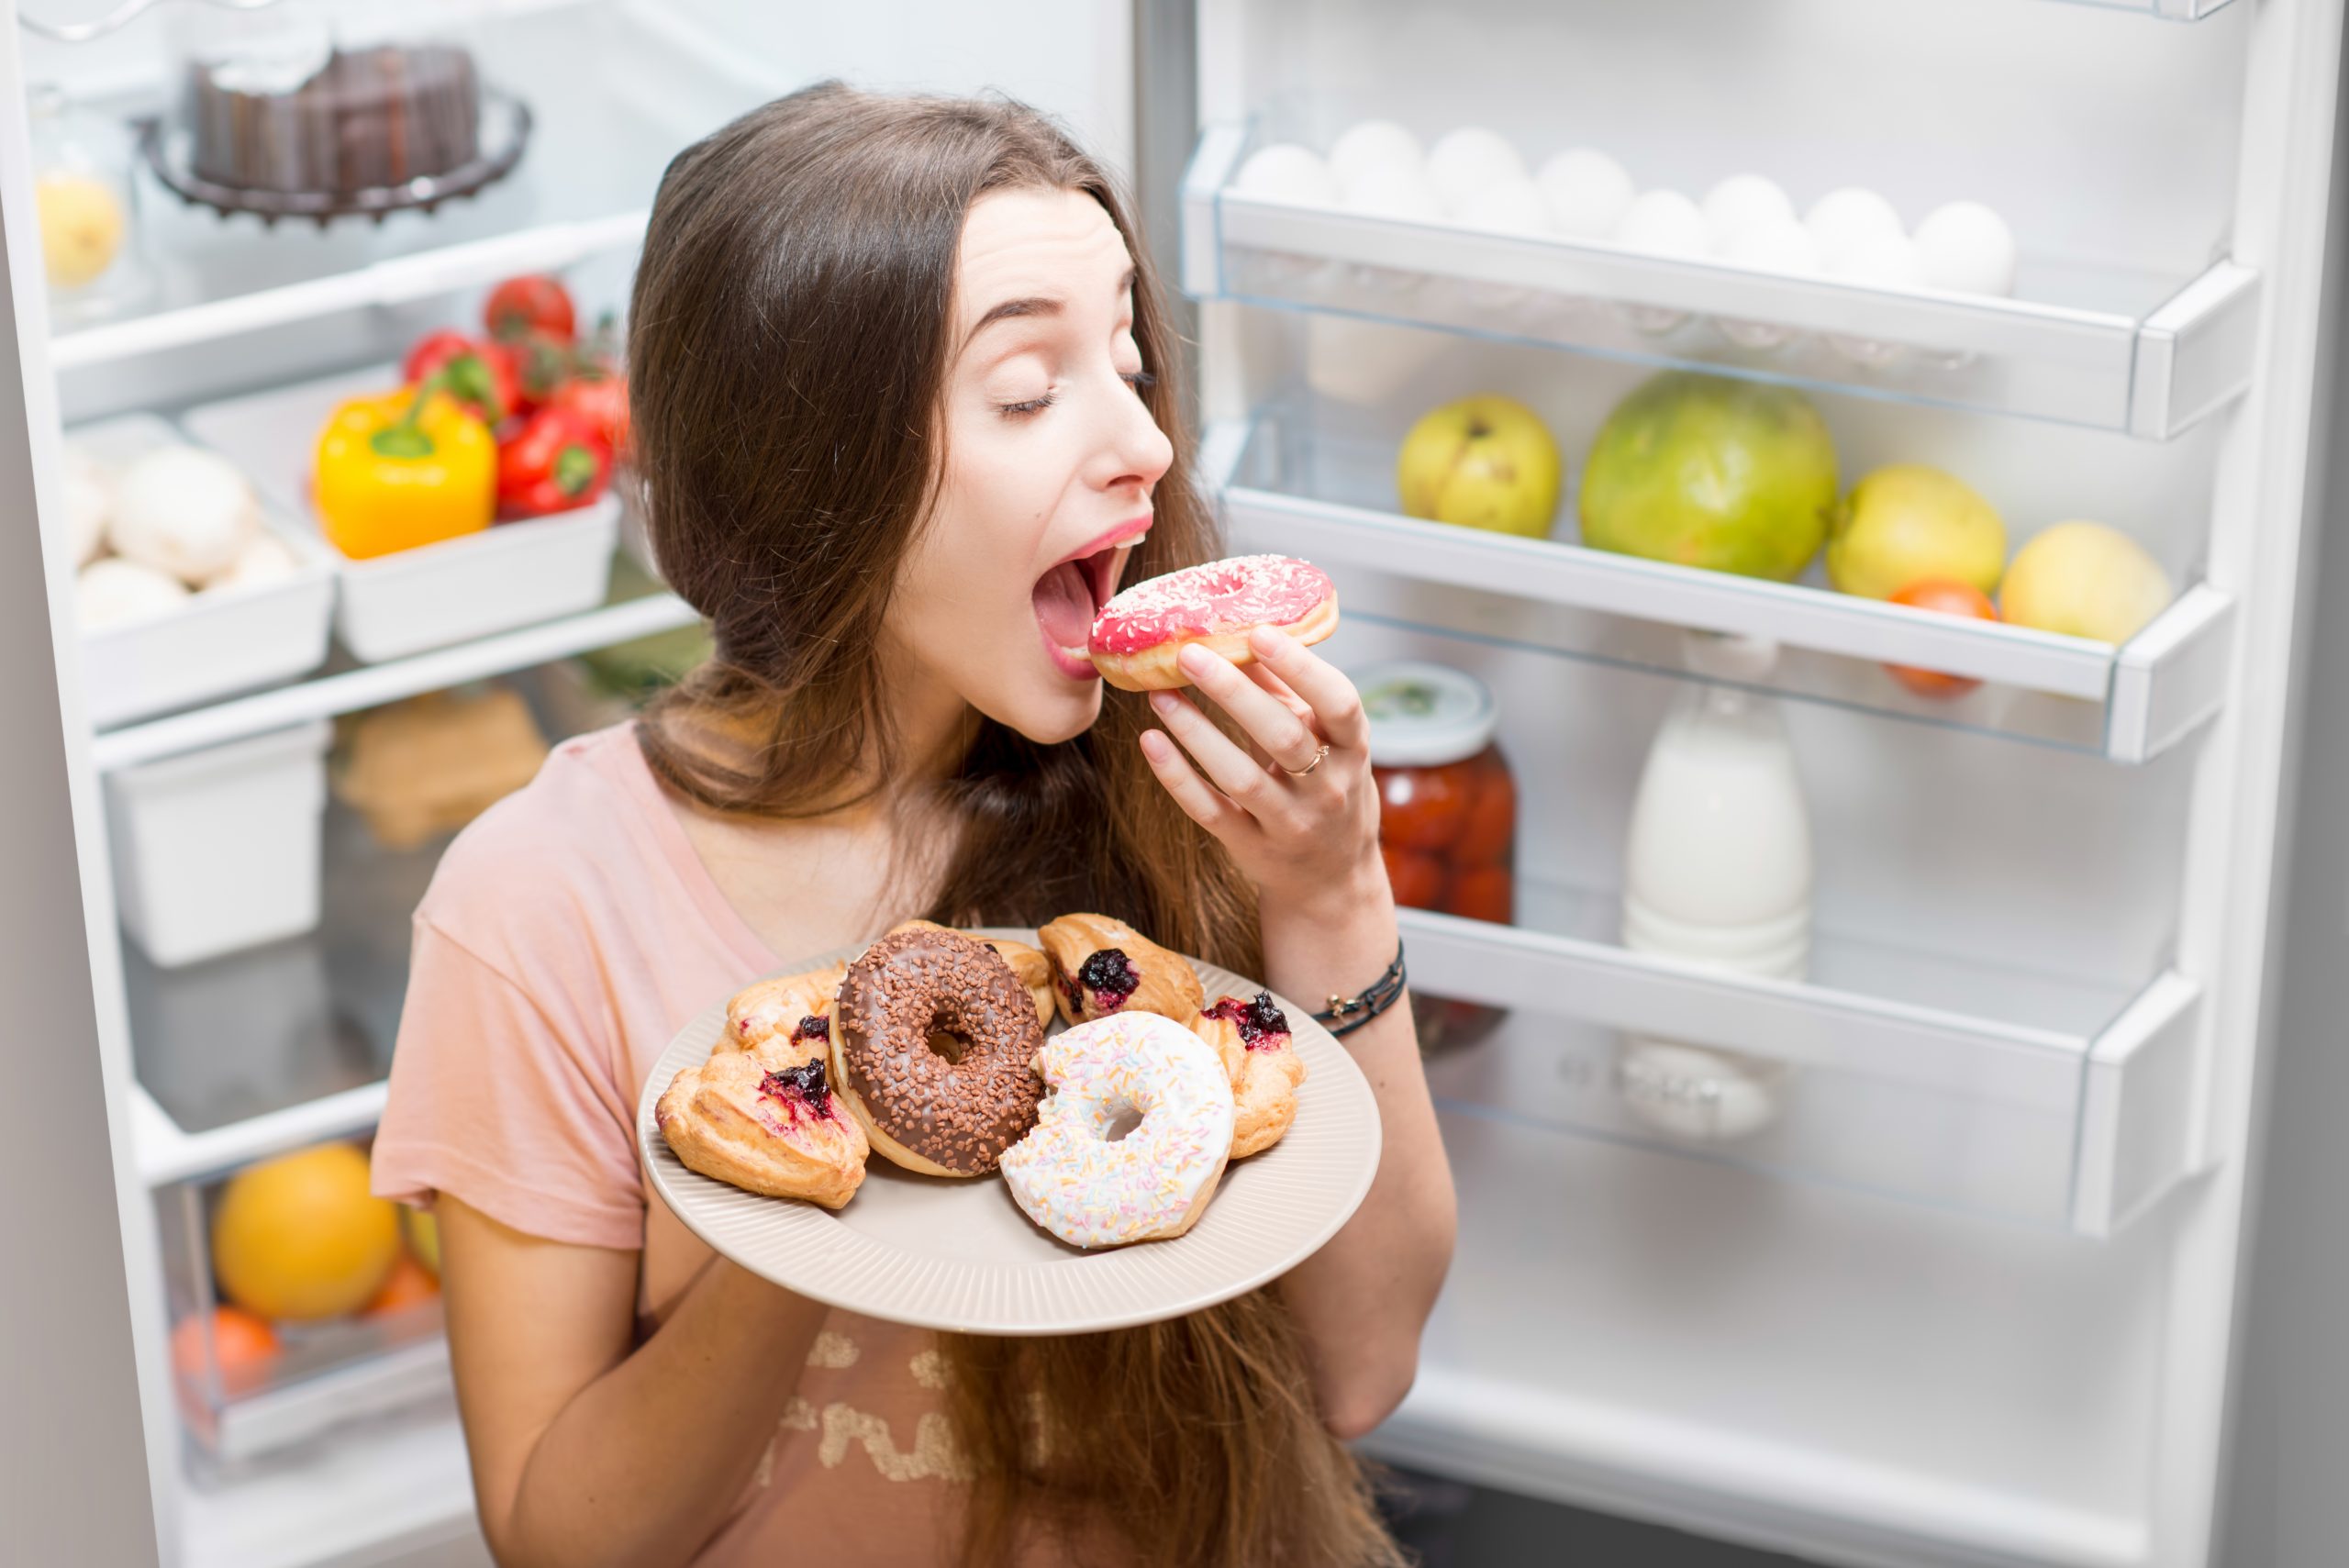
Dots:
{"x": 774, "y": 1133}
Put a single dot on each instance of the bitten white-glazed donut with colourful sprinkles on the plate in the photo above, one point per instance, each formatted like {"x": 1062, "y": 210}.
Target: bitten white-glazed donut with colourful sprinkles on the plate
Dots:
{"x": 1157, "y": 1180}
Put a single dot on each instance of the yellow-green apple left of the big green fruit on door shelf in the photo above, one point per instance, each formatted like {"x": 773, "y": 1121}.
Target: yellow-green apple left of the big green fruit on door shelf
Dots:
{"x": 1481, "y": 464}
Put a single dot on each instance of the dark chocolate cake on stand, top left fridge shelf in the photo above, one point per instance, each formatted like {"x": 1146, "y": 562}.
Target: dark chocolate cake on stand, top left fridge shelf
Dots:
{"x": 363, "y": 121}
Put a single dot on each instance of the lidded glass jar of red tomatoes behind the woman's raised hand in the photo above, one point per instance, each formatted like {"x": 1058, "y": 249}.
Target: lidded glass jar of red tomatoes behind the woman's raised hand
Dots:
{"x": 1448, "y": 811}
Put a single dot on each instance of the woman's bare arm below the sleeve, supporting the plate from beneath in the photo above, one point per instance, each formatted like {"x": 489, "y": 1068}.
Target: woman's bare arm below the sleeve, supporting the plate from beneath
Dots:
{"x": 584, "y": 1449}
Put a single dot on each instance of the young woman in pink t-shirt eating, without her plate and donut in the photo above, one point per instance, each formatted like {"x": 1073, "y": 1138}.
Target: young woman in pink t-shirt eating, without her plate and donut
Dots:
{"x": 903, "y": 424}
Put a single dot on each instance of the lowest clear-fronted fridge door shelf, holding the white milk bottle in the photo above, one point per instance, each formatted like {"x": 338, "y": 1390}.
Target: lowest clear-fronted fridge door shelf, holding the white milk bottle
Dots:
{"x": 1911, "y": 1076}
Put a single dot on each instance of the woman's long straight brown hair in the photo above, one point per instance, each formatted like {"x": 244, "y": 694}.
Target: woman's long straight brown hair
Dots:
{"x": 788, "y": 346}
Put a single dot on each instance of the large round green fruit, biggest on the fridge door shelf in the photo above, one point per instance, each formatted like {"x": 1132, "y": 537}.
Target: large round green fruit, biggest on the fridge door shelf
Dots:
{"x": 1725, "y": 475}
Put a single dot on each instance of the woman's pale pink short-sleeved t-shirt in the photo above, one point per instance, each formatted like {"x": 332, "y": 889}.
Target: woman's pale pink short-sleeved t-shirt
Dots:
{"x": 567, "y": 938}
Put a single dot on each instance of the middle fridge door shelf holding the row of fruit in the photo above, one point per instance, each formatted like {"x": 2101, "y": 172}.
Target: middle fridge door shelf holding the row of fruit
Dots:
{"x": 2127, "y": 703}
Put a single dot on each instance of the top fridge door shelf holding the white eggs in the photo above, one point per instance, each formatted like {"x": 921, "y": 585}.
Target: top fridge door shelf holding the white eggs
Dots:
{"x": 2089, "y": 346}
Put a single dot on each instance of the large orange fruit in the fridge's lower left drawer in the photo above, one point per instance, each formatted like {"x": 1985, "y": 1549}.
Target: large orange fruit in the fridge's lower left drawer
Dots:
{"x": 302, "y": 1238}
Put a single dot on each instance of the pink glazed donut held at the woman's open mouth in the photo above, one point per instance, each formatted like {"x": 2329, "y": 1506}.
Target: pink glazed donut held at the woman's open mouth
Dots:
{"x": 1140, "y": 633}
